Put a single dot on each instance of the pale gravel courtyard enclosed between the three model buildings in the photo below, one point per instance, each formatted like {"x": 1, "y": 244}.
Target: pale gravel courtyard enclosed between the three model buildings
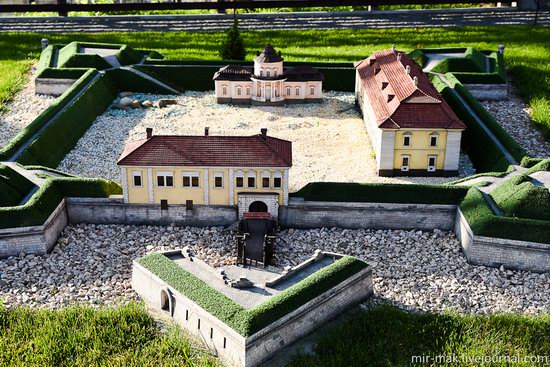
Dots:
{"x": 330, "y": 142}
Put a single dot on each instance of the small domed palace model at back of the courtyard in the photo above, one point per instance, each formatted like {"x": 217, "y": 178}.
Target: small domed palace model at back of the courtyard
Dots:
{"x": 268, "y": 82}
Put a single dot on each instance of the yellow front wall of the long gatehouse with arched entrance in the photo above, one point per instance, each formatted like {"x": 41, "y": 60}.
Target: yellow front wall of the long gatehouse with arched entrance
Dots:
{"x": 178, "y": 194}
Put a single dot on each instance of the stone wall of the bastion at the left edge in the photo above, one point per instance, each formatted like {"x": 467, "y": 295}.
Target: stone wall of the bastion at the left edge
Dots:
{"x": 37, "y": 240}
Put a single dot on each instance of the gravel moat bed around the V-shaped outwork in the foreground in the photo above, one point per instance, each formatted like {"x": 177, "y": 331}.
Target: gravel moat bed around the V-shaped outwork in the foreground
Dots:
{"x": 416, "y": 270}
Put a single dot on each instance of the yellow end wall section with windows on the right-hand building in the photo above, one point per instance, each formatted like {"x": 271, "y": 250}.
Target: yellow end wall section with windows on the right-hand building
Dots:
{"x": 420, "y": 148}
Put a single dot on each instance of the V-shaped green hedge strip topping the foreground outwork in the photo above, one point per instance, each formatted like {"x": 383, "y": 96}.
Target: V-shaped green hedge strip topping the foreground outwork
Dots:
{"x": 247, "y": 322}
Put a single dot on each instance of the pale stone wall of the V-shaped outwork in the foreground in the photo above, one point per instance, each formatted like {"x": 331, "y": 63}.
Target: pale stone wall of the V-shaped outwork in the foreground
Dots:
{"x": 256, "y": 349}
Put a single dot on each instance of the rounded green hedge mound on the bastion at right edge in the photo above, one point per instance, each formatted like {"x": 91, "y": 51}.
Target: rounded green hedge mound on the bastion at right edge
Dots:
{"x": 519, "y": 197}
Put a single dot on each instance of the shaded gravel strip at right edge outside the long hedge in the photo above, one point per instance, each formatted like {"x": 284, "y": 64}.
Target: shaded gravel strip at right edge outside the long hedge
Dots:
{"x": 514, "y": 116}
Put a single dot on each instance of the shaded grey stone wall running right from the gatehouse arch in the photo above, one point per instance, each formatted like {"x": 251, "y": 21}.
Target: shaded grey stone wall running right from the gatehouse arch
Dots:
{"x": 317, "y": 214}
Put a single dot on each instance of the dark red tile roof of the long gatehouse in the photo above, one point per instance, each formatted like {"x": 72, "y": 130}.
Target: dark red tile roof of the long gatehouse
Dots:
{"x": 208, "y": 151}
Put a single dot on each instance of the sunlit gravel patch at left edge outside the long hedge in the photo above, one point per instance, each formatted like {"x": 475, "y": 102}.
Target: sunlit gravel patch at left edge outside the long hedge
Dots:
{"x": 22, "y": 110}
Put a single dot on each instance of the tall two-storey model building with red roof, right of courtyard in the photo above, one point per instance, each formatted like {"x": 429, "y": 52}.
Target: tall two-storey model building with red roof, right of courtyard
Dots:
{"x": 412, "y": 129}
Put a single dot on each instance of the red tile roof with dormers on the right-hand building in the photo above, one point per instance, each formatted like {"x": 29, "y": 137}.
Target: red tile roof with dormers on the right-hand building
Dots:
{"x": 395, "y": 99}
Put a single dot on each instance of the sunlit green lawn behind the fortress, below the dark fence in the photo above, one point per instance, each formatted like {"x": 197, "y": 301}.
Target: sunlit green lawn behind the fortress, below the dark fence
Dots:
{"x": 527, "y": 51}
